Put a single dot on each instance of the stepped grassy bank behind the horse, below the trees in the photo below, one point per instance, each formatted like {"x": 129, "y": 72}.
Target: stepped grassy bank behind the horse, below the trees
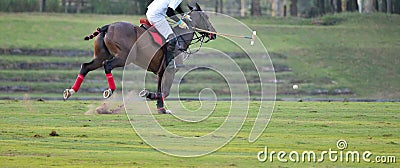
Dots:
{"x": 345, "y": 55}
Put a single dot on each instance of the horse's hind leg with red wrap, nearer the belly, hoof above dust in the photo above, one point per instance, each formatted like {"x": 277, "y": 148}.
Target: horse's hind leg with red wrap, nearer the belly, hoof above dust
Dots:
{"x": 109, "y": 65}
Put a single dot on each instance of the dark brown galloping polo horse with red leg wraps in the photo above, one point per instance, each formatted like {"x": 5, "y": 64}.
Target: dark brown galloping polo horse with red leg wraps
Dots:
{"x": 116, "y": 41}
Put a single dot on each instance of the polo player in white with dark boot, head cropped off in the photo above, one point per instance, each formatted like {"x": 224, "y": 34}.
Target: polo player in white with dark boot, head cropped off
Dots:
{"x": 156, "y": 13}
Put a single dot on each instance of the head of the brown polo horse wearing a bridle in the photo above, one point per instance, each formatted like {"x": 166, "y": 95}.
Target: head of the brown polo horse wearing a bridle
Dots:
{"x": 201, "y": 20}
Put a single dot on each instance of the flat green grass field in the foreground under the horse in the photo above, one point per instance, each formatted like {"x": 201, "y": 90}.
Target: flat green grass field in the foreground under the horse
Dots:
{"x": 109, "y": 141}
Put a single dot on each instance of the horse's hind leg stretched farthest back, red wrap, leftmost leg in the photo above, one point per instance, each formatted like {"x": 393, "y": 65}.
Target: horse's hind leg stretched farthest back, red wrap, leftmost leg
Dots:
{"x": 85, "y": 69}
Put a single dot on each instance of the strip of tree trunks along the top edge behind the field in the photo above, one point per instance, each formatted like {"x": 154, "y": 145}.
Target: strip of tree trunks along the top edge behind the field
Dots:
{"x": 295, "y": 8}
